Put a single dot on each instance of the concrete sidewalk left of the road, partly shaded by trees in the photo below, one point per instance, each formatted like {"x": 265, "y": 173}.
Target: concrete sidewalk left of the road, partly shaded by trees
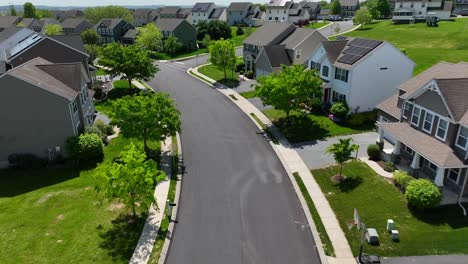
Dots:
{"x": 148, "y": 236}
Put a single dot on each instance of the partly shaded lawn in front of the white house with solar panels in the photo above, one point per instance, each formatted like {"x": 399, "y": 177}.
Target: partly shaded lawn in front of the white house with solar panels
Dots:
{"x": 310, "y": 127}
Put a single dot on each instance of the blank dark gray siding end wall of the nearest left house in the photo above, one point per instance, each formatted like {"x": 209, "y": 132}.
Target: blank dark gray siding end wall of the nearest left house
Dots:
{"x": 34, "y": 119}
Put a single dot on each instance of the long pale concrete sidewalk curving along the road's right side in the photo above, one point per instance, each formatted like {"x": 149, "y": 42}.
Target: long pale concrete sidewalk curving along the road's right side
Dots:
{"x": 293, "y": 163}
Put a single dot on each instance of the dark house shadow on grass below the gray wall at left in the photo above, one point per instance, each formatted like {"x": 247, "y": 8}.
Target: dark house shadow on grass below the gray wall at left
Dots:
{"x": 15, "y": 182}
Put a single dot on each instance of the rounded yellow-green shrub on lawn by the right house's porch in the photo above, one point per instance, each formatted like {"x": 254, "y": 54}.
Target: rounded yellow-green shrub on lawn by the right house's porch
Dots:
{"x": 423, "y": 194}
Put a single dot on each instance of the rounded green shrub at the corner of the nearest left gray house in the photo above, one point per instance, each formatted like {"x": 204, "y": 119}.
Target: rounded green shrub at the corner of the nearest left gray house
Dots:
{"x": 85, "y": 147}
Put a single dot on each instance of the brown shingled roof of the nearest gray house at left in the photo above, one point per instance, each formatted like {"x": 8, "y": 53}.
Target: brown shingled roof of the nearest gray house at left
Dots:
{"x": 32, "y": 73}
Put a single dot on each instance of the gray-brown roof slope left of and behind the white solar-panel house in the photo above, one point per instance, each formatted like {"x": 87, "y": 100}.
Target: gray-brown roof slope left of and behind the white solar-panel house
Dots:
{"x": 266, "y": 34}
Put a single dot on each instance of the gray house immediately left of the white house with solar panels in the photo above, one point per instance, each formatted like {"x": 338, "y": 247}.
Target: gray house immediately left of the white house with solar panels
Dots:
{"x": 295, "y": 49}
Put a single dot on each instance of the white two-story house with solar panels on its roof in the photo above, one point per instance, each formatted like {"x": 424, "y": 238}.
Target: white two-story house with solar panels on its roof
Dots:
{"x": 362, "y": 72}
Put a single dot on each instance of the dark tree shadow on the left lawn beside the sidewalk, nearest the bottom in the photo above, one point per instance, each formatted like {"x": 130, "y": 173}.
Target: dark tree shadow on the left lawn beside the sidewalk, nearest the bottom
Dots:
{"x": 121, "y": 239}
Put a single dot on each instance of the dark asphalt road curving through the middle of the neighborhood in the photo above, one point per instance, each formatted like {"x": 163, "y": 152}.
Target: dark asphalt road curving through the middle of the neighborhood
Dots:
{"x": 237, "y": 203}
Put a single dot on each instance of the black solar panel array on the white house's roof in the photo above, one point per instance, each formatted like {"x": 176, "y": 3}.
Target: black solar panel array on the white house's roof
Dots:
{"x": 356, "y": 49}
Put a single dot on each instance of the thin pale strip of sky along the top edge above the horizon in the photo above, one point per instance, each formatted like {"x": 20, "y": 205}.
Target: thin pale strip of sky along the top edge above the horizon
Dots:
{"x": 121, "y": 2}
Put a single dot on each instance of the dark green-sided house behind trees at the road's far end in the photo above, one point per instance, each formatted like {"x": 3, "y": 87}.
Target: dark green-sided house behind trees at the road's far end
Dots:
{"x": 179, "y": 28}
